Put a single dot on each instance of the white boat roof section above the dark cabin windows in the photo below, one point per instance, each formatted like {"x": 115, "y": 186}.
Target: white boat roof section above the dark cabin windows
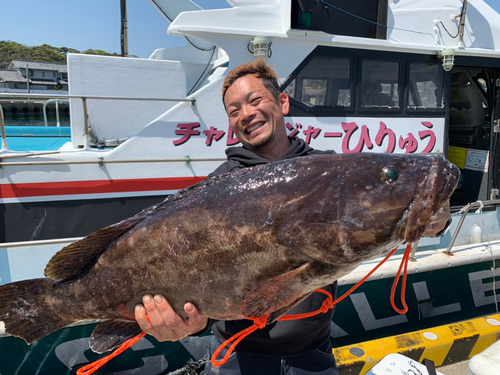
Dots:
{"x": 413, "y": 25}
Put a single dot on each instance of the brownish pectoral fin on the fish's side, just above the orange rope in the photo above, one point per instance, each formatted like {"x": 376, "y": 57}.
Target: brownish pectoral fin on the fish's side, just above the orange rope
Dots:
{"x": 276, "y": 296}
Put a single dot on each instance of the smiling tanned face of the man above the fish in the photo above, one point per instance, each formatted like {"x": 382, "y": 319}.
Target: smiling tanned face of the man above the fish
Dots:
{"x": 254, "y": 115}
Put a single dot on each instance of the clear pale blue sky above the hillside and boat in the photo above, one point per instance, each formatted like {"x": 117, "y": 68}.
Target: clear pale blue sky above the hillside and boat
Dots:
{"x": 94, "y": 24}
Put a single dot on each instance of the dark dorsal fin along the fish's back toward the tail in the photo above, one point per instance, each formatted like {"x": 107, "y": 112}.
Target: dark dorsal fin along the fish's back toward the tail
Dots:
{"x": 77, "y": 259}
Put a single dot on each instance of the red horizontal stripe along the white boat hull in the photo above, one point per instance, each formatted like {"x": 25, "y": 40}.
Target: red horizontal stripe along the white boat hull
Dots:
{"x": 95, "y": 187}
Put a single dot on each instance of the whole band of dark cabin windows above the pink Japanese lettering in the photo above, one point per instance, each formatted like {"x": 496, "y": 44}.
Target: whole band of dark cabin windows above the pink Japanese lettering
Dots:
{"x": 351, "y": 82}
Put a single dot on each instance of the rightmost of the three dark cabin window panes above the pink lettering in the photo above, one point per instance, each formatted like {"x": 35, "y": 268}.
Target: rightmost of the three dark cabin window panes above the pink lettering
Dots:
{"x": 425, "y": 89}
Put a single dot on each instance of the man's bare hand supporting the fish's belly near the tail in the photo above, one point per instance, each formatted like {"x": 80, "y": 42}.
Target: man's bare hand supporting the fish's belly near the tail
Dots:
{"x": 157, "y": 318}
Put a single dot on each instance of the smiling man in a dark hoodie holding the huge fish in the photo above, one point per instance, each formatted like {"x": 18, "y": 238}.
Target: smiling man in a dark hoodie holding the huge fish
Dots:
{"x": 256, "y": 109}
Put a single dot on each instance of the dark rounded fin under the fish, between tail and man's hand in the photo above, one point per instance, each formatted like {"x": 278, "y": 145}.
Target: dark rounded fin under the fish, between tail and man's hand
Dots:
{"x": 111, "y": 334}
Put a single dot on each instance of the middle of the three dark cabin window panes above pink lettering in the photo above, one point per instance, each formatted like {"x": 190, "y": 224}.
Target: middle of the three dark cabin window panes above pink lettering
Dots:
{"x": 379, "y": 85}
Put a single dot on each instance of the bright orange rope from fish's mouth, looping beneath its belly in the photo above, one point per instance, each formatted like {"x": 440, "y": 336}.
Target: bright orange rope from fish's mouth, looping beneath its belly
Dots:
{"x": 260, "y": 322}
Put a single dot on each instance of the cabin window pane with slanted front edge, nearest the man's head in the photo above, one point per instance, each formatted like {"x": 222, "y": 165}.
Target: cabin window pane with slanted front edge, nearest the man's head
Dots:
{"x": 323, "y": 82}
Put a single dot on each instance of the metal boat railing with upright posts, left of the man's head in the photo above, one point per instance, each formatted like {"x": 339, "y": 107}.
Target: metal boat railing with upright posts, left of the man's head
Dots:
{"x": 84, "y": 99}
